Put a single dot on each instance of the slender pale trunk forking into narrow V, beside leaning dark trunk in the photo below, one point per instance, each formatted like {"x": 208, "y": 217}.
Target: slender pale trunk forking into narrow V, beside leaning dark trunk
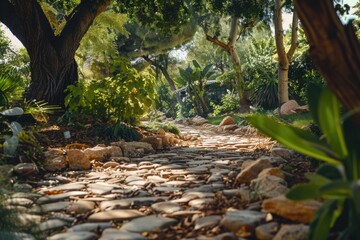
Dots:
{"x": 284, "y": 56}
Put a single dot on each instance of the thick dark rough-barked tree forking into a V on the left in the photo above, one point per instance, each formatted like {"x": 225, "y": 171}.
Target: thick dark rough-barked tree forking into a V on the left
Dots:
{"x": 52, "y": 61}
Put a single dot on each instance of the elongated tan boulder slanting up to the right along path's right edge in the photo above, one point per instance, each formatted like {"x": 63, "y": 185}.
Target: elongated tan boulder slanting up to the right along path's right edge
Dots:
{"x": 251, "y": 171}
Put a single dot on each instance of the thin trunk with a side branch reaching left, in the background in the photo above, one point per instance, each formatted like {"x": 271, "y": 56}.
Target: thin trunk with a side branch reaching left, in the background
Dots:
{"x": 235, "y": 59}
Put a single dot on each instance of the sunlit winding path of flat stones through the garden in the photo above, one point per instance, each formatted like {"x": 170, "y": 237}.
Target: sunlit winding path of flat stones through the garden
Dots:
{"x": 205, "y": 191}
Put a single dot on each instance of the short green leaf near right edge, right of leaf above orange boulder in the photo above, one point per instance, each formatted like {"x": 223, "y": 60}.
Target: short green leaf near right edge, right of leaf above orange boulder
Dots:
{"x": 336, "y": 189}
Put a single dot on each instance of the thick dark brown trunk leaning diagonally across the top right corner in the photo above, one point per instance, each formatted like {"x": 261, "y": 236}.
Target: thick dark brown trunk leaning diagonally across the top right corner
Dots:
{"x": 335, "y": 50}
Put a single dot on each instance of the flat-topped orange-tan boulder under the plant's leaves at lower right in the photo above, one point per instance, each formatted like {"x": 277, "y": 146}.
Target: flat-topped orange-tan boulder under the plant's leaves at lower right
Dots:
{"x": 297, "y": 211}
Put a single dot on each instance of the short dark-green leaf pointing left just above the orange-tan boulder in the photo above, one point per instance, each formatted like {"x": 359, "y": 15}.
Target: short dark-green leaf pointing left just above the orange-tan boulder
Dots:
{"x": 303, "y": 191}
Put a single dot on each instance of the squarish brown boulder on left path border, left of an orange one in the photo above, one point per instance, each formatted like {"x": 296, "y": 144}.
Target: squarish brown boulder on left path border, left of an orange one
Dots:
{"x": 54, "y": 160}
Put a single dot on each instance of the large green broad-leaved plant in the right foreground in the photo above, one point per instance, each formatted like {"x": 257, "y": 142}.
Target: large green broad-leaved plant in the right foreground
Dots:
{"x": 337, "y": 180}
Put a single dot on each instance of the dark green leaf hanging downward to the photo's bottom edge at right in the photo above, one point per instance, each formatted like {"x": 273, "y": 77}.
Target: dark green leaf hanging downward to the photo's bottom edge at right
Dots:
{"x": 324, "y": 218}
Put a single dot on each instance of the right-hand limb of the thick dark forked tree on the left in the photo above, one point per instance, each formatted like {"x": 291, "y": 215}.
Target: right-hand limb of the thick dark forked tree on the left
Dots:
{"x": 79, "y": 23}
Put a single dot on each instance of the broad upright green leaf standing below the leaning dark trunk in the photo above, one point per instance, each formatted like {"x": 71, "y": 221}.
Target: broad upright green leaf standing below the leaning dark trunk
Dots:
{"x": 330, "y": 122}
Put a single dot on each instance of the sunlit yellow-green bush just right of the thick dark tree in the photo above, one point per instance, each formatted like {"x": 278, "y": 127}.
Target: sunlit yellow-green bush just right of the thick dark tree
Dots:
{"x": 125, "y": 97}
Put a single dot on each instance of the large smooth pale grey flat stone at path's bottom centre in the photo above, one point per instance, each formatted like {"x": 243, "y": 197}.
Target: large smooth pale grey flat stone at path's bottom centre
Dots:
{"x": 148, "y": 224}
